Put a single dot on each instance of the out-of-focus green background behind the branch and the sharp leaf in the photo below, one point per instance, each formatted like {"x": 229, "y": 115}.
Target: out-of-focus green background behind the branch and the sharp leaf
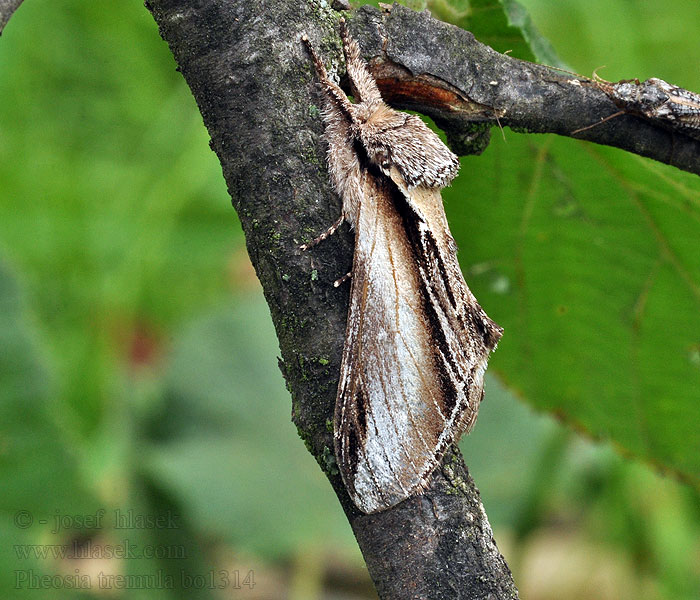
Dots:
{"x": 141, "y": 407}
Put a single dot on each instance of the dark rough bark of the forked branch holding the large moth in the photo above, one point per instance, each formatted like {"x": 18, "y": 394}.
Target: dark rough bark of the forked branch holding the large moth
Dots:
{"x": 254, "y": 85}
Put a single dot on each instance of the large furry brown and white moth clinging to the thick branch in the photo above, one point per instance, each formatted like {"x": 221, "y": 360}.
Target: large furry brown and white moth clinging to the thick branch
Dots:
{"x": 417, "y": 341}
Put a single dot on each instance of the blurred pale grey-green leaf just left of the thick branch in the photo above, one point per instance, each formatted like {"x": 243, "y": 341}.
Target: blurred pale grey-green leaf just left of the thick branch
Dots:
{"x": 229, "y": 451}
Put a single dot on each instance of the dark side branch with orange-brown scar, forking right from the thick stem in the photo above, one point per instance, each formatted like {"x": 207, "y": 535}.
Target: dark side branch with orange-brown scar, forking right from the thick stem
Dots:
{"x": 442, "y": 71}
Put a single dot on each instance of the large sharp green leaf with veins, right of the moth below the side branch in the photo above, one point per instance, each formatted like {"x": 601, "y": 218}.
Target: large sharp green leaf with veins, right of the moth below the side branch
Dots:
{"x": 588, "y": 258}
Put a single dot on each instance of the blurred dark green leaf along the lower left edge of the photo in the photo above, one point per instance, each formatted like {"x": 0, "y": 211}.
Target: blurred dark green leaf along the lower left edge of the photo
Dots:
{"x": 40, "y": 476}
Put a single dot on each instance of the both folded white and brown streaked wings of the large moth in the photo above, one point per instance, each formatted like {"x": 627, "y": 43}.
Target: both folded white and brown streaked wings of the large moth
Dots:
{"x": 406, "y": 389}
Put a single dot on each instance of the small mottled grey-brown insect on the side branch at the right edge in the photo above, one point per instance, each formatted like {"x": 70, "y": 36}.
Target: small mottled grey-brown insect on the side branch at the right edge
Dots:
{"x": 655, "y": 100}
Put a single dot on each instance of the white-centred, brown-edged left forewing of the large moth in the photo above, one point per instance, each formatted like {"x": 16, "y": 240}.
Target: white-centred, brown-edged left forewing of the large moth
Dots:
{"x": 388, "y": 421}
